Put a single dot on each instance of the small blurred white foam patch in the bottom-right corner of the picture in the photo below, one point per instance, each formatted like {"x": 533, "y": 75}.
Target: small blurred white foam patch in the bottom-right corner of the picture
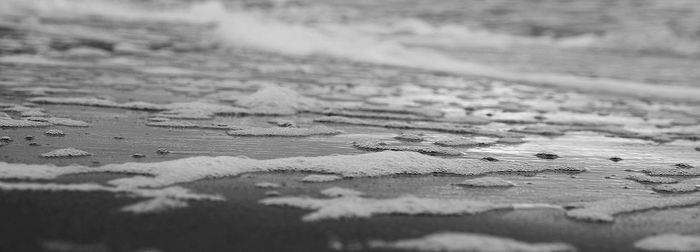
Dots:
{"x": 669, "y": 242}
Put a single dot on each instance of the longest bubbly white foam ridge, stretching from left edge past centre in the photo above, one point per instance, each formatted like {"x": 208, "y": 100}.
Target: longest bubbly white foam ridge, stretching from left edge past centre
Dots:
{"x": 365, "y": 165}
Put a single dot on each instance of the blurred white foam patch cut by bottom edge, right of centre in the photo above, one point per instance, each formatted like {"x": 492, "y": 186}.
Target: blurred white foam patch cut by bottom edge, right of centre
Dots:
{"x": 469, "y": 242}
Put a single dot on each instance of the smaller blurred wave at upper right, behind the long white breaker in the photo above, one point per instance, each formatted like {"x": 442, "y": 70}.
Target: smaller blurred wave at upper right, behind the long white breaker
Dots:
{"x": 658, "y": 39}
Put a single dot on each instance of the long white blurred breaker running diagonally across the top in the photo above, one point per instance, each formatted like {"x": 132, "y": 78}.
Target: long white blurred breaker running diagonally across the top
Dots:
{"x": 239, "y": 27}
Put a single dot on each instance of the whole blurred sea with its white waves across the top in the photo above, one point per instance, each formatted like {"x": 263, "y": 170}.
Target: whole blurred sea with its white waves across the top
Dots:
{"x": 641, "y": 48}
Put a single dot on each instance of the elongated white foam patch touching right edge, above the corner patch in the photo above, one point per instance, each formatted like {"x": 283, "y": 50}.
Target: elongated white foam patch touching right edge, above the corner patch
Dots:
{"x": 604, "y": 210}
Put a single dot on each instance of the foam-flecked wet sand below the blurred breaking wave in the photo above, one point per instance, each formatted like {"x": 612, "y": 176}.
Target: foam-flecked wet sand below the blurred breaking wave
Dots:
{"x": 187, "y": 99}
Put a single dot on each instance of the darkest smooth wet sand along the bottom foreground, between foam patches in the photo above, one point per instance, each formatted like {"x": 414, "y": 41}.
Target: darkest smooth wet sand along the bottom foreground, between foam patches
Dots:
{"x": 241, "y": 224}
